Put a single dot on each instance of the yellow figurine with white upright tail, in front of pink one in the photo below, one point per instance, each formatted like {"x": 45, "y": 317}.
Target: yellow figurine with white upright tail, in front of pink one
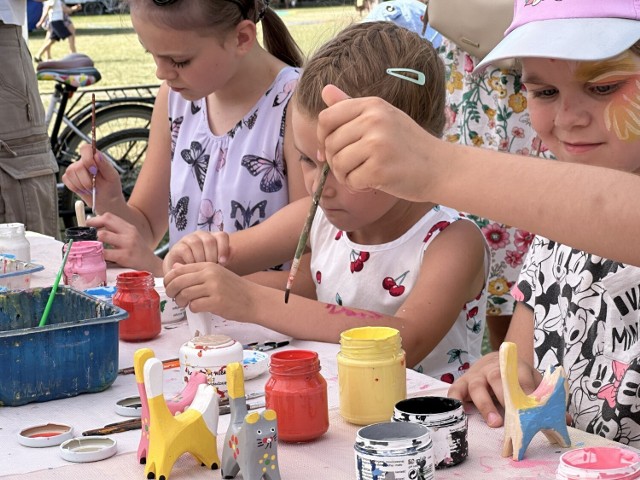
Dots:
{"x": 193, "y": 431}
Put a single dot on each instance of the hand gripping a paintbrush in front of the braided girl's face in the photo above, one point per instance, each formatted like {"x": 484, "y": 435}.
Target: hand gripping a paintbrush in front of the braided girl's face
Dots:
{"x": 360, "y": 138}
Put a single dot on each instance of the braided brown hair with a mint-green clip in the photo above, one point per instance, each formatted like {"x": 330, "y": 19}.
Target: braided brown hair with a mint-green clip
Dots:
{"x": 356, "y": 61}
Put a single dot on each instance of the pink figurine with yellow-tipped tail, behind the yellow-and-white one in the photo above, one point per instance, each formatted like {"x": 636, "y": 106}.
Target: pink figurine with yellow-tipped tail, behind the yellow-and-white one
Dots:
{"x": 176, "y": 405}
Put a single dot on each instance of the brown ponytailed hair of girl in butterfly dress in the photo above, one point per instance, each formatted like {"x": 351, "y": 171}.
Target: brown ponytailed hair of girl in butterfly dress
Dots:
{"x": 221, "y": 16}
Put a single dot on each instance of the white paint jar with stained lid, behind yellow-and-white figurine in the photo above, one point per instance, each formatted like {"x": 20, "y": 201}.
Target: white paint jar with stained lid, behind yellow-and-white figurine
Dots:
{"x": 210, "y": 354}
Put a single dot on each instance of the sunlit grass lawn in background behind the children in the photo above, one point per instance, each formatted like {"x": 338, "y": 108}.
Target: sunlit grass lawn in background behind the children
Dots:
{"x": 113, "y": 45}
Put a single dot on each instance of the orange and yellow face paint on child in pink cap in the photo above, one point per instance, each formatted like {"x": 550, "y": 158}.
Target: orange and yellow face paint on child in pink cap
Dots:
{"x": 622, "y": 114}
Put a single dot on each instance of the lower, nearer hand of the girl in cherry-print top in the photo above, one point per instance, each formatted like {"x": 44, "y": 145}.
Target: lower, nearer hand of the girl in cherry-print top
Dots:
{"x": 209, "y": 287}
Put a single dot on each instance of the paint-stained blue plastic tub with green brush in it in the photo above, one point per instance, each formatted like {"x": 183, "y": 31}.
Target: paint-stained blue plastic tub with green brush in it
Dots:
{"x": 76, "y": 352}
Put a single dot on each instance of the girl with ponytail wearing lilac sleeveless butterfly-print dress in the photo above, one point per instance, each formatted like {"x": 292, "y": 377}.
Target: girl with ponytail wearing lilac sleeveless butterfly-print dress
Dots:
{"x": 220, "y": 153}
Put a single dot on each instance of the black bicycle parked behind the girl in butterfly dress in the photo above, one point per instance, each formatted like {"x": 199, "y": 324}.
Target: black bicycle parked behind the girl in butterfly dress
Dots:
{"x": 123, "y": 115}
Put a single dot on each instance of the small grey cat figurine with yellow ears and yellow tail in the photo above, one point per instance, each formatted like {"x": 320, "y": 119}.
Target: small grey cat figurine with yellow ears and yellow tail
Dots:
{"x": 250, "y": 445}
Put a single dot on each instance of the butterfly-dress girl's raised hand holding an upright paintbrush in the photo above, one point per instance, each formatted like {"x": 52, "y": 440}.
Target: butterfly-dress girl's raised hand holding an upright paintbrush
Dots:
{"x": 78, "y": 178}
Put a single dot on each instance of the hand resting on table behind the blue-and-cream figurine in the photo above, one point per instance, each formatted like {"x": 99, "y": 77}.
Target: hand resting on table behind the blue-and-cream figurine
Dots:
{"x": 482, "y": 383}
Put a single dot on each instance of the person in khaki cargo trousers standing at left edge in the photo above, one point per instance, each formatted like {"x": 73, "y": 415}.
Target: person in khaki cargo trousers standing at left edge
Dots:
{"x": 27, "y": 165}
